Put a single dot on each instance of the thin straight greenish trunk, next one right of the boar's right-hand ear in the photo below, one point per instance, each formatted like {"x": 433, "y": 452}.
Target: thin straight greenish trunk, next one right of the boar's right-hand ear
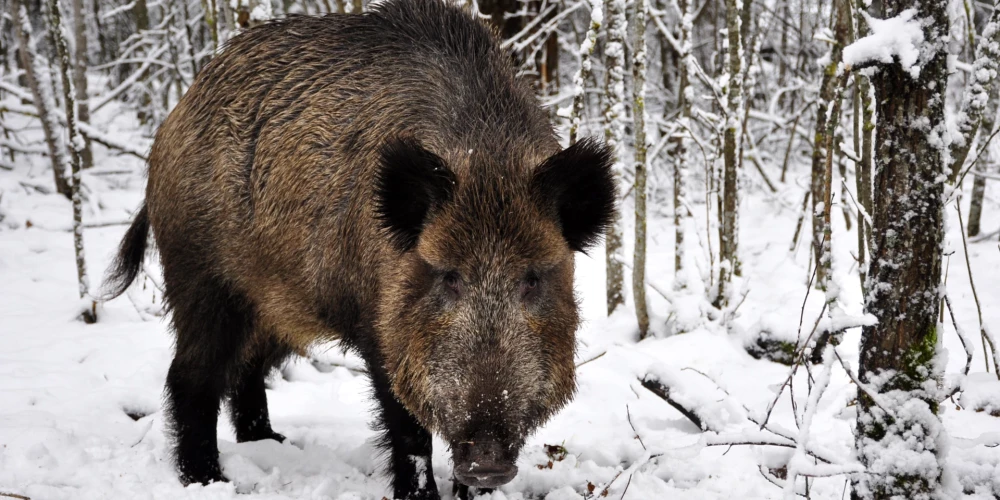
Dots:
{"x": 639, "y": 187}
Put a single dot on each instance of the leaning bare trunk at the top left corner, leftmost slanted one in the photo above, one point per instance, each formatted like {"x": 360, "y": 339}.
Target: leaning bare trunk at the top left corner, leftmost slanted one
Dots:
{"x": 40, "y": 83}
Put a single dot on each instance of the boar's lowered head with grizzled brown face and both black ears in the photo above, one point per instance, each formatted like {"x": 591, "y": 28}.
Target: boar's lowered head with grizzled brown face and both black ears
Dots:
{"x": 478, "y": 317}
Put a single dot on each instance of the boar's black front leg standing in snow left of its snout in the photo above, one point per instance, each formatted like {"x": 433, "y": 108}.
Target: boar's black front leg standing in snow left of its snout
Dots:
{"x": 407, "y": 442}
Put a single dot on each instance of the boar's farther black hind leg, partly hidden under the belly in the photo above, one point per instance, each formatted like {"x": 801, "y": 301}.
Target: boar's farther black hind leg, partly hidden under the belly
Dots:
{"x": 248, "y": 401}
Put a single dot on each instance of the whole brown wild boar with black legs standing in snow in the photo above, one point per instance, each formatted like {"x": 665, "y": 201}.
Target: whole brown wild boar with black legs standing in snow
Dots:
{"x": 384, "y": 180}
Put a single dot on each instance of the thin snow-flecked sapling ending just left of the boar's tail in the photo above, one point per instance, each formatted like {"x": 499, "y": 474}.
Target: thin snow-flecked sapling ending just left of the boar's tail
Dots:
{"x": 76, "y": 145}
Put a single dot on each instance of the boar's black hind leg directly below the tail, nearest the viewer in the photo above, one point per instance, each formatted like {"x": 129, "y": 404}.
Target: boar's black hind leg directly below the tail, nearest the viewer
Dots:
{"x": 212, "y": 325}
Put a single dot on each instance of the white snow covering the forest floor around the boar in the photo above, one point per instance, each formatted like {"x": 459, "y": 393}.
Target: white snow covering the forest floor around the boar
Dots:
{"x": 80, "y": 404}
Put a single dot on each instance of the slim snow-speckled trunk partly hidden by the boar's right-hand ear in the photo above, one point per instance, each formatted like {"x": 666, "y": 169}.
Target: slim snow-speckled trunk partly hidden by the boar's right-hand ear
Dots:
{"x": 614, "y": 134}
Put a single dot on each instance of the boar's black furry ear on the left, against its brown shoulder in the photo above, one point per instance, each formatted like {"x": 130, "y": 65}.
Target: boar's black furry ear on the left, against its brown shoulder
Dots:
{"x": 412, "y": 182}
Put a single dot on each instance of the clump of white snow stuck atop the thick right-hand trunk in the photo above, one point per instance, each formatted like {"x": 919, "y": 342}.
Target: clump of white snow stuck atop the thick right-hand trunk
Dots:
{"x": 894, "y": 39}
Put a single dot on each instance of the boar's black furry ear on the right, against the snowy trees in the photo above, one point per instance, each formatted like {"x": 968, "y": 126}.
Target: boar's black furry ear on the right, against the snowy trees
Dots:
{"x": 577, "y": 186}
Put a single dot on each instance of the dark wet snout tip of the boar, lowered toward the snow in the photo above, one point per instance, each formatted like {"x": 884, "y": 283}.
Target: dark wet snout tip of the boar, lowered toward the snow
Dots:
{"x": 484, "y": 464}
